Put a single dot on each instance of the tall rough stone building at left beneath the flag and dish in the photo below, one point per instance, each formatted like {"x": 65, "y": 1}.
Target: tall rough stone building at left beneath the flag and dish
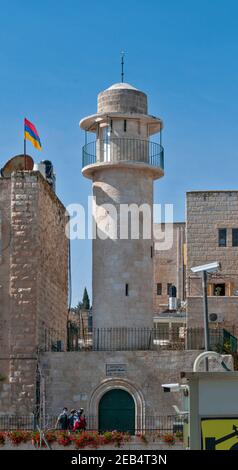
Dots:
{"x": 33, "y": 283}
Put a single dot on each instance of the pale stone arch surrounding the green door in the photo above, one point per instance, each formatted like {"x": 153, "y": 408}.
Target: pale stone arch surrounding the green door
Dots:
{"x": 117, "y": 383}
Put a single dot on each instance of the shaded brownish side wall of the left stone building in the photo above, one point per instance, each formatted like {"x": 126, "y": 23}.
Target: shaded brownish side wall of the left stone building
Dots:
{"x": 52, "y": 282}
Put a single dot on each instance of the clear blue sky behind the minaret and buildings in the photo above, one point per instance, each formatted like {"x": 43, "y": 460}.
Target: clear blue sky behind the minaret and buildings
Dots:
{"x": 56, "y": 56}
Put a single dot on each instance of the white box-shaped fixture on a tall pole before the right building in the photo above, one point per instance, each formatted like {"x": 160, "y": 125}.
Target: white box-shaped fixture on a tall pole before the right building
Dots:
{"x": 204, "y": 270}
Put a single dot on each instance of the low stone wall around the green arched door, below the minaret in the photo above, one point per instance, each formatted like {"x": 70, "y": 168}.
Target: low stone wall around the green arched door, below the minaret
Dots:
{"x": 79, "y": 379}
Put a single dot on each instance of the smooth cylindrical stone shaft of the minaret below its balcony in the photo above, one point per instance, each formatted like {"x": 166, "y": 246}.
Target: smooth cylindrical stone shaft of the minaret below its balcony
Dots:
{"x": 119, "y": 261}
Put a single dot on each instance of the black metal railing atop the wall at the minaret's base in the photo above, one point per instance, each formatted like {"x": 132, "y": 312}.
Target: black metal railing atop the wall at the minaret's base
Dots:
{"x": 135, "y": 339}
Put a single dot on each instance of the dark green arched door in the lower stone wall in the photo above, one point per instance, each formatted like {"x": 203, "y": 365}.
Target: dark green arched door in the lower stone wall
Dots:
{"x": 117, "y": 412}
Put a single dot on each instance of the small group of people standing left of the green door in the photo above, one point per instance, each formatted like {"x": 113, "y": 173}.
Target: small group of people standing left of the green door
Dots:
{"x": 75, "y": 421}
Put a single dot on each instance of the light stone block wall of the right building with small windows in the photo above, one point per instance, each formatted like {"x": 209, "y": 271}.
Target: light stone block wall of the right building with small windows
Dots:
{"x": 208, "y": 211}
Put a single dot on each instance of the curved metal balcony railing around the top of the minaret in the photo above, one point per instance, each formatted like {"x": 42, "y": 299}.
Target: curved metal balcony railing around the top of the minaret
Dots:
{"x": 121, "y": 149}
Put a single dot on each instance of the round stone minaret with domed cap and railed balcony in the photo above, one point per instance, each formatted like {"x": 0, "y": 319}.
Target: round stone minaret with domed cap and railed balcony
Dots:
{"x": 122, "y": 163}
